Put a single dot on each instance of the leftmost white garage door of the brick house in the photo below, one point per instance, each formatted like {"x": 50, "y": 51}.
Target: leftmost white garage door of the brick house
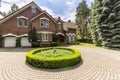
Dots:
{"x": 10, "y": 42}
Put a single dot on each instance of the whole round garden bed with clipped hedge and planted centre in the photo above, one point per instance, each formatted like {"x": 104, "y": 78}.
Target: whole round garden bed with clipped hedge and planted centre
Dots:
{"x": 53, "y": 57}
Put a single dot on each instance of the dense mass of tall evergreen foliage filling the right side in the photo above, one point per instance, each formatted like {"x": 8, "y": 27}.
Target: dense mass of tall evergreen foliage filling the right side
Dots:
{"x": 105, "y": 23}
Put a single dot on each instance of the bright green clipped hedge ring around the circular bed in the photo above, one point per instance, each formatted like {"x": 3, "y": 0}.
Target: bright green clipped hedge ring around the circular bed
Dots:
{"x": 52, "y": 63}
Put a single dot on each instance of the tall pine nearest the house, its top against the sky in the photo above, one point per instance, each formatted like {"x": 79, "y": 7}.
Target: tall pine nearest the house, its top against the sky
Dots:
{"x": 82, "y": 17}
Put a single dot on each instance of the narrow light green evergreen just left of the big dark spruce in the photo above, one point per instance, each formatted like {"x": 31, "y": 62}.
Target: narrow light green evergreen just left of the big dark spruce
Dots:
{"x": 95, "y": 24}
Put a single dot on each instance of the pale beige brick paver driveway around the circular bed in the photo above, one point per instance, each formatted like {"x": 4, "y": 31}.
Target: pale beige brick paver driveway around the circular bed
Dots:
{"x": 98, "y": 64}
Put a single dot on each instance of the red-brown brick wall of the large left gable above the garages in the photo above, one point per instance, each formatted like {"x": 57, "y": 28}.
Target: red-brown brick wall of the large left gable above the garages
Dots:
{"x": 10, "y": 26}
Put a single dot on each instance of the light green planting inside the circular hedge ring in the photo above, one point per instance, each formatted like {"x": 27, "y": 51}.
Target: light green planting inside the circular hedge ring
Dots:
{"x": 58, "y": 53}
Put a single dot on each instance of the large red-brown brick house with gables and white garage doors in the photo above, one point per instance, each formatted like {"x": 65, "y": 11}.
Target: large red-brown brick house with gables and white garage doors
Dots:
{"x": 19, "y": 23}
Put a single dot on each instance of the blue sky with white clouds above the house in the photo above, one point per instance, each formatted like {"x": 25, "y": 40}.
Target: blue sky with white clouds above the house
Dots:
{"x": 66, "y": 9}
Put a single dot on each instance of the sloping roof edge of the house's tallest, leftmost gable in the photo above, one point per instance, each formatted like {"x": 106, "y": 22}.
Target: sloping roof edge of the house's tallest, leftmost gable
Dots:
{"x": 20, "y": 10}
